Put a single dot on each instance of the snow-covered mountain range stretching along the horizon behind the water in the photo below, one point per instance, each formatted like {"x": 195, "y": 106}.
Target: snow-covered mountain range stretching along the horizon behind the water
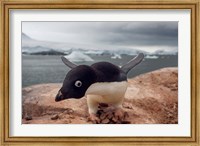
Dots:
{"x": 33, "y": 46}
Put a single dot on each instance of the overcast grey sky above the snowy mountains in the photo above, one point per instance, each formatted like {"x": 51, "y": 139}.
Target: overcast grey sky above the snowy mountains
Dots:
{"x": 149, "y": 36}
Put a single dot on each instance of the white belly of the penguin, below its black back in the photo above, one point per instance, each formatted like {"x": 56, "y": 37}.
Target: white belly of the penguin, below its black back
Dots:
{"x": 109, "y": 92}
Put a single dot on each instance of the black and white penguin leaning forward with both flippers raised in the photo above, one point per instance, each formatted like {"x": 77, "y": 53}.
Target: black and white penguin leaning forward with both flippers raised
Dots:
{"x": 101, "y": 82}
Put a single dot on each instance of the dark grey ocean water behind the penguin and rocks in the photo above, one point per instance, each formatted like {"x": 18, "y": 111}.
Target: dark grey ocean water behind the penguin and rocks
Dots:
{"x": 37, "y": 69}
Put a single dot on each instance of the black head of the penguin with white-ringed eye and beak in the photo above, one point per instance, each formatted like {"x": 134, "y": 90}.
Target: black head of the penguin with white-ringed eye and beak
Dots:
{"x": 76, "y": 82}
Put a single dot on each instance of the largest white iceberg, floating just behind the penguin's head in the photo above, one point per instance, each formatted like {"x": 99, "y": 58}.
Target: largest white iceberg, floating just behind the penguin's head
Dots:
{"x": 77, "y": 56}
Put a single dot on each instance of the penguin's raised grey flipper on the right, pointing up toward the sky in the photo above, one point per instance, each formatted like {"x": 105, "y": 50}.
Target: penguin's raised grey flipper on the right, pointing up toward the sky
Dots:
{"x": 132, "y": 63}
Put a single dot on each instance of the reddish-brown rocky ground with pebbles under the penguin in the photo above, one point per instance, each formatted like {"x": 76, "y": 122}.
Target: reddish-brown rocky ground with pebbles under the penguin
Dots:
{"x": 151, "y": 98}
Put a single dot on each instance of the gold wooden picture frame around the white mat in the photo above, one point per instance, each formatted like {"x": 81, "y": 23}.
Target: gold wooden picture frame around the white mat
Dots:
{"x": 193, "y": 5}
